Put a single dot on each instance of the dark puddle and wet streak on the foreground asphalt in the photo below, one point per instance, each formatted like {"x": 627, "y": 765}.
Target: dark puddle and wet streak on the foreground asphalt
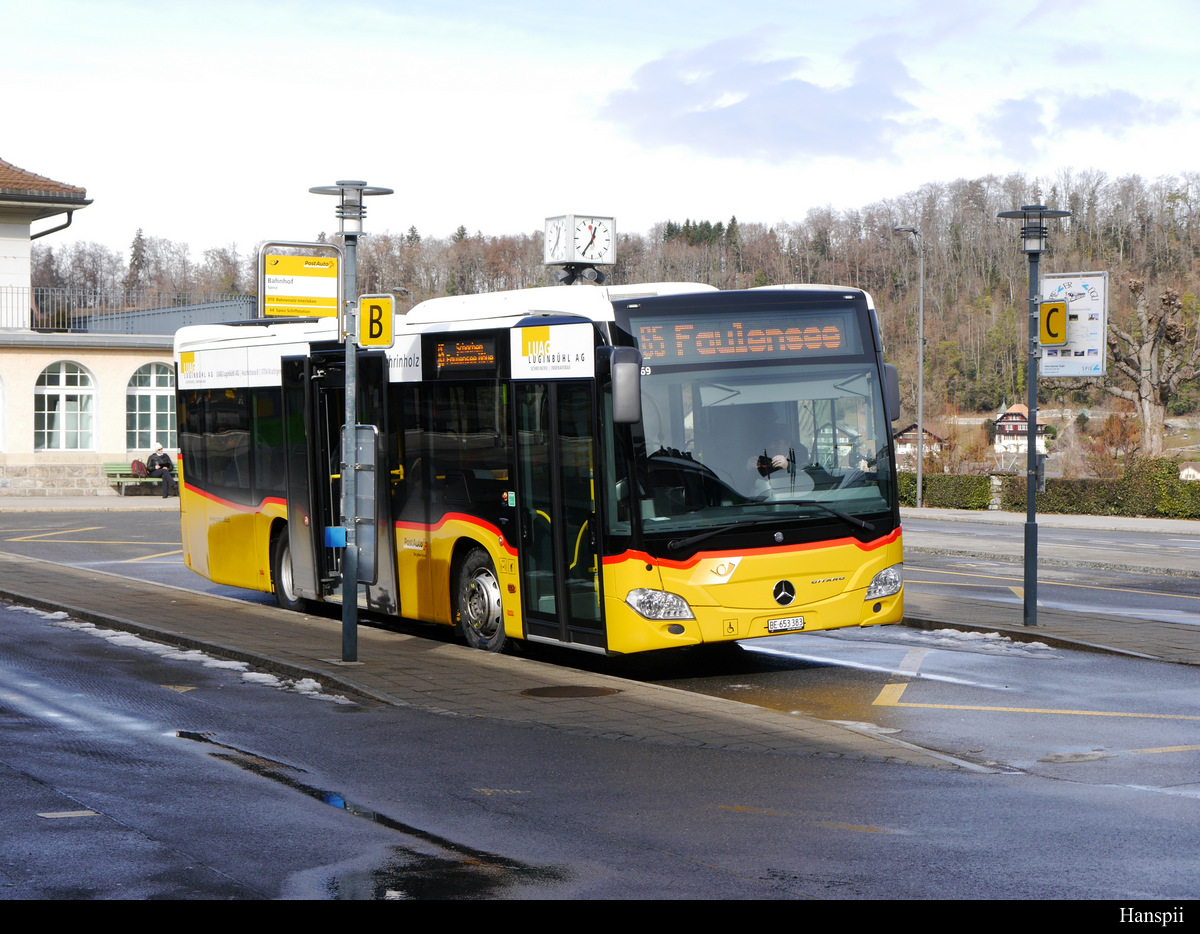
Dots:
{"x": 460, "y": 872}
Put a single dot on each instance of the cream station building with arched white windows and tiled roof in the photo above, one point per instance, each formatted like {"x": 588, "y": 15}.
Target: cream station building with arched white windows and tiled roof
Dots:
{"x": 86, "y": 379}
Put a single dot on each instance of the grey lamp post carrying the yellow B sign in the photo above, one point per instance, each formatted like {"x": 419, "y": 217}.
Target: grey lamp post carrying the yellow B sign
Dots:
{"x": 351, "y": 212}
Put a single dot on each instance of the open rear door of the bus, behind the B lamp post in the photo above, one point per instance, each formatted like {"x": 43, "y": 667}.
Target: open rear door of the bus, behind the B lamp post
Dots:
{"x": 315, "y": 411}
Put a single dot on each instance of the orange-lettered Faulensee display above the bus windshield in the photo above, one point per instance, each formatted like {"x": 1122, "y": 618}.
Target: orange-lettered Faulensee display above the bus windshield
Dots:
{"x": 712, "y": 339}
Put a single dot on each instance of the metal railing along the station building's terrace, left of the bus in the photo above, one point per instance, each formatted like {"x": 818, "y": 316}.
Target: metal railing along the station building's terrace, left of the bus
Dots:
{"x": 117, "y": 312}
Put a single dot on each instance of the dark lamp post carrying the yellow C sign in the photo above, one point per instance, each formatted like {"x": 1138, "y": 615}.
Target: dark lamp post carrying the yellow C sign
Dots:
{"x": 1034, "y": 244}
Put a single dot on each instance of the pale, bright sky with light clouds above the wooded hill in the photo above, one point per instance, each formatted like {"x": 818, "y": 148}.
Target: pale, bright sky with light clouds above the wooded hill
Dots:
{"x": 208, "y": 123}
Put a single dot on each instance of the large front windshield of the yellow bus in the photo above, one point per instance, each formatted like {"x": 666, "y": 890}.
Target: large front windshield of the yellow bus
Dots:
{"x": 722, "y": 446}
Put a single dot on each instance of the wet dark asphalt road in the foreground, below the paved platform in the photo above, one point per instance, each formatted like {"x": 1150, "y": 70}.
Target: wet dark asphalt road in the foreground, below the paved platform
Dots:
{"x": 131, "y": 774}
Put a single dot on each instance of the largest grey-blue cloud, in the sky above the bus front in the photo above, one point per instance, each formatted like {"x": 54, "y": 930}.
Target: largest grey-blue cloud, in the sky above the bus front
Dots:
{"x": 729, "y": 99}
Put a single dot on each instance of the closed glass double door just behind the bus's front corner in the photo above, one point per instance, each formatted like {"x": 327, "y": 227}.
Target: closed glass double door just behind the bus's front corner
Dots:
{"x": 560, "y": 571}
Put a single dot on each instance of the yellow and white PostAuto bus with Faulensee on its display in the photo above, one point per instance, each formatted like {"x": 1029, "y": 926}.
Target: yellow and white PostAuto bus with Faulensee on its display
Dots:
{"x": 614, "y": 470}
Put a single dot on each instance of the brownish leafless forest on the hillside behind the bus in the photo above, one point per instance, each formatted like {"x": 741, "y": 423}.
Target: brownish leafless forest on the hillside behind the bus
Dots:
{"x": 1144, "y": 233}
